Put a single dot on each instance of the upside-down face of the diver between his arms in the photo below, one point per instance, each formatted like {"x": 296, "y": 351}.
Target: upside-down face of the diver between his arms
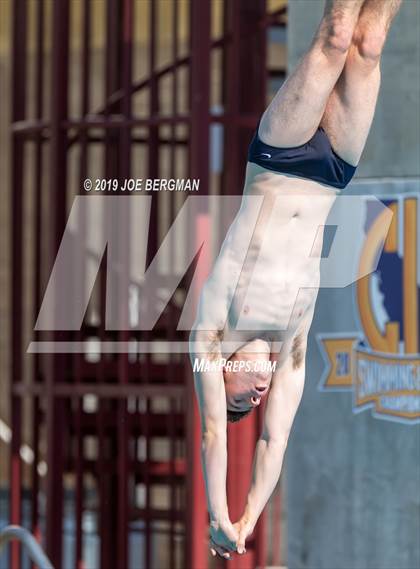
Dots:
{"x": 245, "y": 389}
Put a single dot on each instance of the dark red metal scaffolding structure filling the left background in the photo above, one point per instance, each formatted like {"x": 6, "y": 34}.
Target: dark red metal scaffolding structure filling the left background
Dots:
{"x": 120, "y": 480}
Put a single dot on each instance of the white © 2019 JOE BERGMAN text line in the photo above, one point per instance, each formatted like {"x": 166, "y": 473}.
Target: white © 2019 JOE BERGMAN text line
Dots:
{"x": 142, "y": 185}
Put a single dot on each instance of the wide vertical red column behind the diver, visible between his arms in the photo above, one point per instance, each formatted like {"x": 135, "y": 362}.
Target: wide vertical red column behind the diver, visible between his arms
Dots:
{"x": 245, "y": 57}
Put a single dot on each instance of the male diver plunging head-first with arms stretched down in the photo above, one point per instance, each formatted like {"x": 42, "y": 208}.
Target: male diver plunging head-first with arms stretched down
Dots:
{"x": 306, "y": 149}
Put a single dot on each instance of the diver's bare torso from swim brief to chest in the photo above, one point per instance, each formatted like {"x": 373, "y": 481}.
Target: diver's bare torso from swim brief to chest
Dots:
{"x": 269, "y": 295}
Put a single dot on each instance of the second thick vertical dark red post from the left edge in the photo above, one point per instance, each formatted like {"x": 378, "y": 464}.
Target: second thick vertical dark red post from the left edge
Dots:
{"x": 57, "y": 190}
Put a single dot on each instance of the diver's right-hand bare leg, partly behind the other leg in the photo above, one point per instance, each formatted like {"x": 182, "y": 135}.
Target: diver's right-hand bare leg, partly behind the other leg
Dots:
{"x": 351, "y": 106}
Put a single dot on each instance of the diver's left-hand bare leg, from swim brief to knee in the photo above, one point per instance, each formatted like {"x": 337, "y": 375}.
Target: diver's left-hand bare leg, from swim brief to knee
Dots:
{"x": 296, "y": 110}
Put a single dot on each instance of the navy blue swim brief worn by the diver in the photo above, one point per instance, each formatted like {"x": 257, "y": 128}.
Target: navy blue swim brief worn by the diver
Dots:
{"x": 315, "y": 160}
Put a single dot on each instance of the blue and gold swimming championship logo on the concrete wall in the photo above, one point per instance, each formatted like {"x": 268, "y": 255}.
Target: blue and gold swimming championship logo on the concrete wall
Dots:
{"x": 380, "y": 363}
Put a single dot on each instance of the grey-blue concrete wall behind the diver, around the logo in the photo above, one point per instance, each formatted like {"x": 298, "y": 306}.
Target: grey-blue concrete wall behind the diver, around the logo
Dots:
{"x": 353, "y": 481}
